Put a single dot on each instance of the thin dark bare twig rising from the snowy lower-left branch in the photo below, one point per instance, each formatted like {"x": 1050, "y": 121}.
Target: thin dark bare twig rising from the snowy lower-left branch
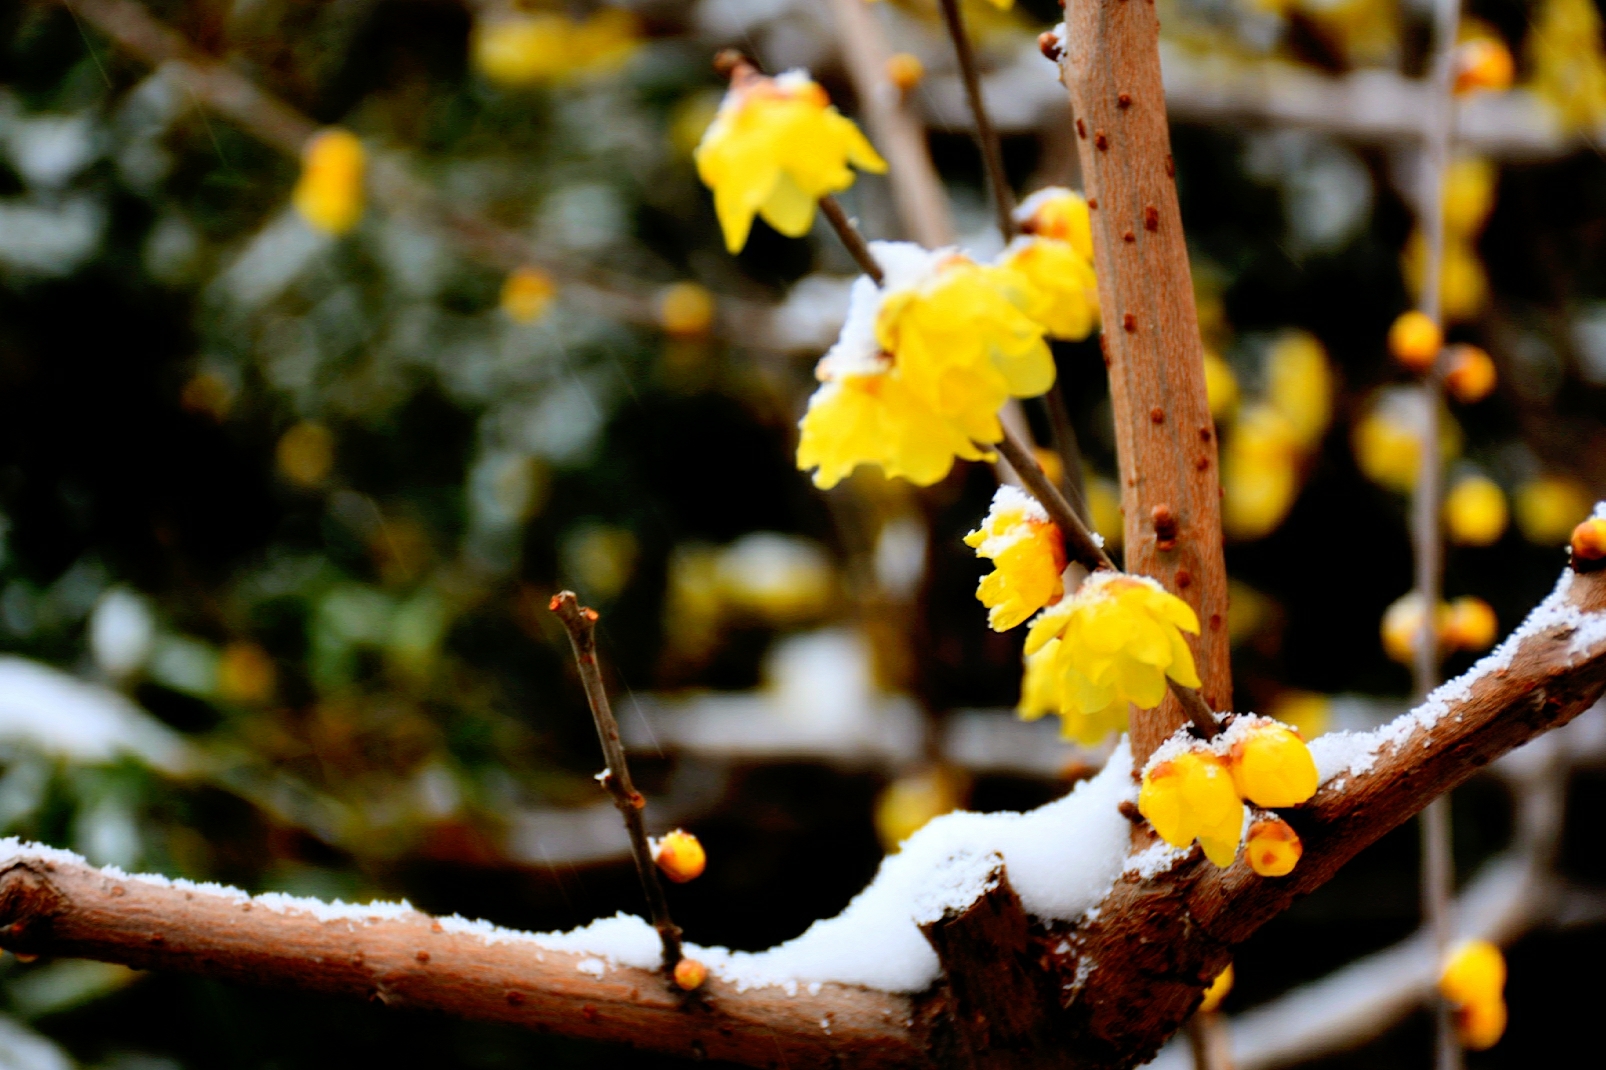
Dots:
{"x": 581, "y": 623}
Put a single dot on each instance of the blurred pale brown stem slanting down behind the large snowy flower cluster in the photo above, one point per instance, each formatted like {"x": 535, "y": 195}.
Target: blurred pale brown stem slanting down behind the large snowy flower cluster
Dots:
{"x": 899, "y": 131}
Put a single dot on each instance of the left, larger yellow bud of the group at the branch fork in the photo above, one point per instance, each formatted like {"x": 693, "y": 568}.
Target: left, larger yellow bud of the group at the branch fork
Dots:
{"x": 1191, "y": 798}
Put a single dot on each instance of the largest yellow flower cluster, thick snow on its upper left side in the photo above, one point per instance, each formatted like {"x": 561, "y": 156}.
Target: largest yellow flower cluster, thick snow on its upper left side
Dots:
{"x": 923, "y": 369}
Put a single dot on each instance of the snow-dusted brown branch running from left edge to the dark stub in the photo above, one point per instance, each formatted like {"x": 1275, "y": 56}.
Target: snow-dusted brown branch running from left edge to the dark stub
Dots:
{"x": 412, "y": 962}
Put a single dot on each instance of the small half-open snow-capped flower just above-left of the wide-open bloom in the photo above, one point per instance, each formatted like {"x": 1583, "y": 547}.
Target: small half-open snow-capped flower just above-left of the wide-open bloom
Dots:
{"x": 1029, "y": 557}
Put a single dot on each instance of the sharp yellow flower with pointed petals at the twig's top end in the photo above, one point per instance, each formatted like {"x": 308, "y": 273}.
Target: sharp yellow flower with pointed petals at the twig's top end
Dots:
{"x": 773, "y": 150}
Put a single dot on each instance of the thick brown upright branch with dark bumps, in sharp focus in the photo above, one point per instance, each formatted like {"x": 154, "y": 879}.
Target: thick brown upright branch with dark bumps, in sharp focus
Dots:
{"x": 1165, "y": 436}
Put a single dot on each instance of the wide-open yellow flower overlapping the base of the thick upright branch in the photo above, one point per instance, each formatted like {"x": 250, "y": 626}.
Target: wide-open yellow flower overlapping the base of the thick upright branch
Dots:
{"x": 1120, "y": 639}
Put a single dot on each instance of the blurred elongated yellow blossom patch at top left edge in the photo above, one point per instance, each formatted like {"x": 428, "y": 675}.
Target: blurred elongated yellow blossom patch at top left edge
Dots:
{"x": 529, "y": 49}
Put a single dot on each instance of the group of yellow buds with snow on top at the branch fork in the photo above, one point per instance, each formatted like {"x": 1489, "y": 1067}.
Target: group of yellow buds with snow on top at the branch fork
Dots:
{"x": 1197, "y": 791}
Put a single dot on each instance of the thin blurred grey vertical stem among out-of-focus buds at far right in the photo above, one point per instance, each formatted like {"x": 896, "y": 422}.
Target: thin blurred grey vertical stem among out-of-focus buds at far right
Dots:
{"x": 1438, "y": 872}
